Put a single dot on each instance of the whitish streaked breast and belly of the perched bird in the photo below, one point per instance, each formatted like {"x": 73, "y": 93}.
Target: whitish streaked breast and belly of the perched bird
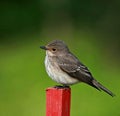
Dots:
{"x": 56, "y": 73}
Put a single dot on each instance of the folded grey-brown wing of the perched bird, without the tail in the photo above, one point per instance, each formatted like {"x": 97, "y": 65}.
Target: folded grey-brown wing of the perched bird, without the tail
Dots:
{"x": 73, "y": 67}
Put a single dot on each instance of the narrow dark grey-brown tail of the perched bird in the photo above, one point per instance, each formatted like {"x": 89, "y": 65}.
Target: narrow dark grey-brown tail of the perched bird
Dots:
{"x": 100, "y": 86}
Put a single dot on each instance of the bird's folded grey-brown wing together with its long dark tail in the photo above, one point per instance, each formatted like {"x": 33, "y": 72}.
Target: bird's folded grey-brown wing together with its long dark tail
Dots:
{"x": 73, "y": 67}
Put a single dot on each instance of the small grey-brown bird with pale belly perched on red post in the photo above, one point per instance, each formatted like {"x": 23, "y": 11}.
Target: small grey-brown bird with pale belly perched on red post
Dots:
{"x": 66, "y": 69}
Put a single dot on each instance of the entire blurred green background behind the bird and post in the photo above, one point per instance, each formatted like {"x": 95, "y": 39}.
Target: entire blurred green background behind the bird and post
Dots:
{"x": 91, "y": 29}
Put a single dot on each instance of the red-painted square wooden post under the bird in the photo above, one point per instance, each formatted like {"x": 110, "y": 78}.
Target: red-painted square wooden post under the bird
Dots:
{"x": 58, "y": 101}
